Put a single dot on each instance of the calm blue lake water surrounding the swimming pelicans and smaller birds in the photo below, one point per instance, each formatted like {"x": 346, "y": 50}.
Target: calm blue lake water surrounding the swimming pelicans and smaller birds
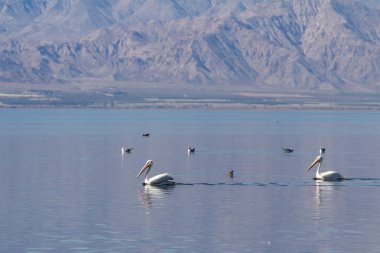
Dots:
{"x": 66, "y": 187}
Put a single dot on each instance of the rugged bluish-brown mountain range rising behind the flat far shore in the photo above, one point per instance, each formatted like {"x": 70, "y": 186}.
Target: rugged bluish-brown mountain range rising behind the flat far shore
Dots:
{"x": 279, "y": 45}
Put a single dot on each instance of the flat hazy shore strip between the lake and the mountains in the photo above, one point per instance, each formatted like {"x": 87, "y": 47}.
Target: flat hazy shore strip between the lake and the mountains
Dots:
{"x": 120, "y": 97}
